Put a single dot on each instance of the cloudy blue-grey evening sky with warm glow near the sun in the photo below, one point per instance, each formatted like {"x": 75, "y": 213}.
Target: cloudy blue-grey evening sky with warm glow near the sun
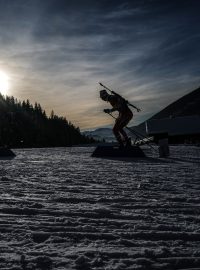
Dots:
{"x": 56, "y": 51}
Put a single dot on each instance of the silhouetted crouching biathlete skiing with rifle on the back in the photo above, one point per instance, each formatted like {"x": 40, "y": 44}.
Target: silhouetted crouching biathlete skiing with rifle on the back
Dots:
{"x": 125, "y": 115}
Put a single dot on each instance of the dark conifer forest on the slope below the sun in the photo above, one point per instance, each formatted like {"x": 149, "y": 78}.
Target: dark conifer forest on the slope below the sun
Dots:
{"x": 25, "y": 125}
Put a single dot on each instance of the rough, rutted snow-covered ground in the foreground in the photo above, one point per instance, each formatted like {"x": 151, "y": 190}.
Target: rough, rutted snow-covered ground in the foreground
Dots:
{"x": 62, "y": 209}
